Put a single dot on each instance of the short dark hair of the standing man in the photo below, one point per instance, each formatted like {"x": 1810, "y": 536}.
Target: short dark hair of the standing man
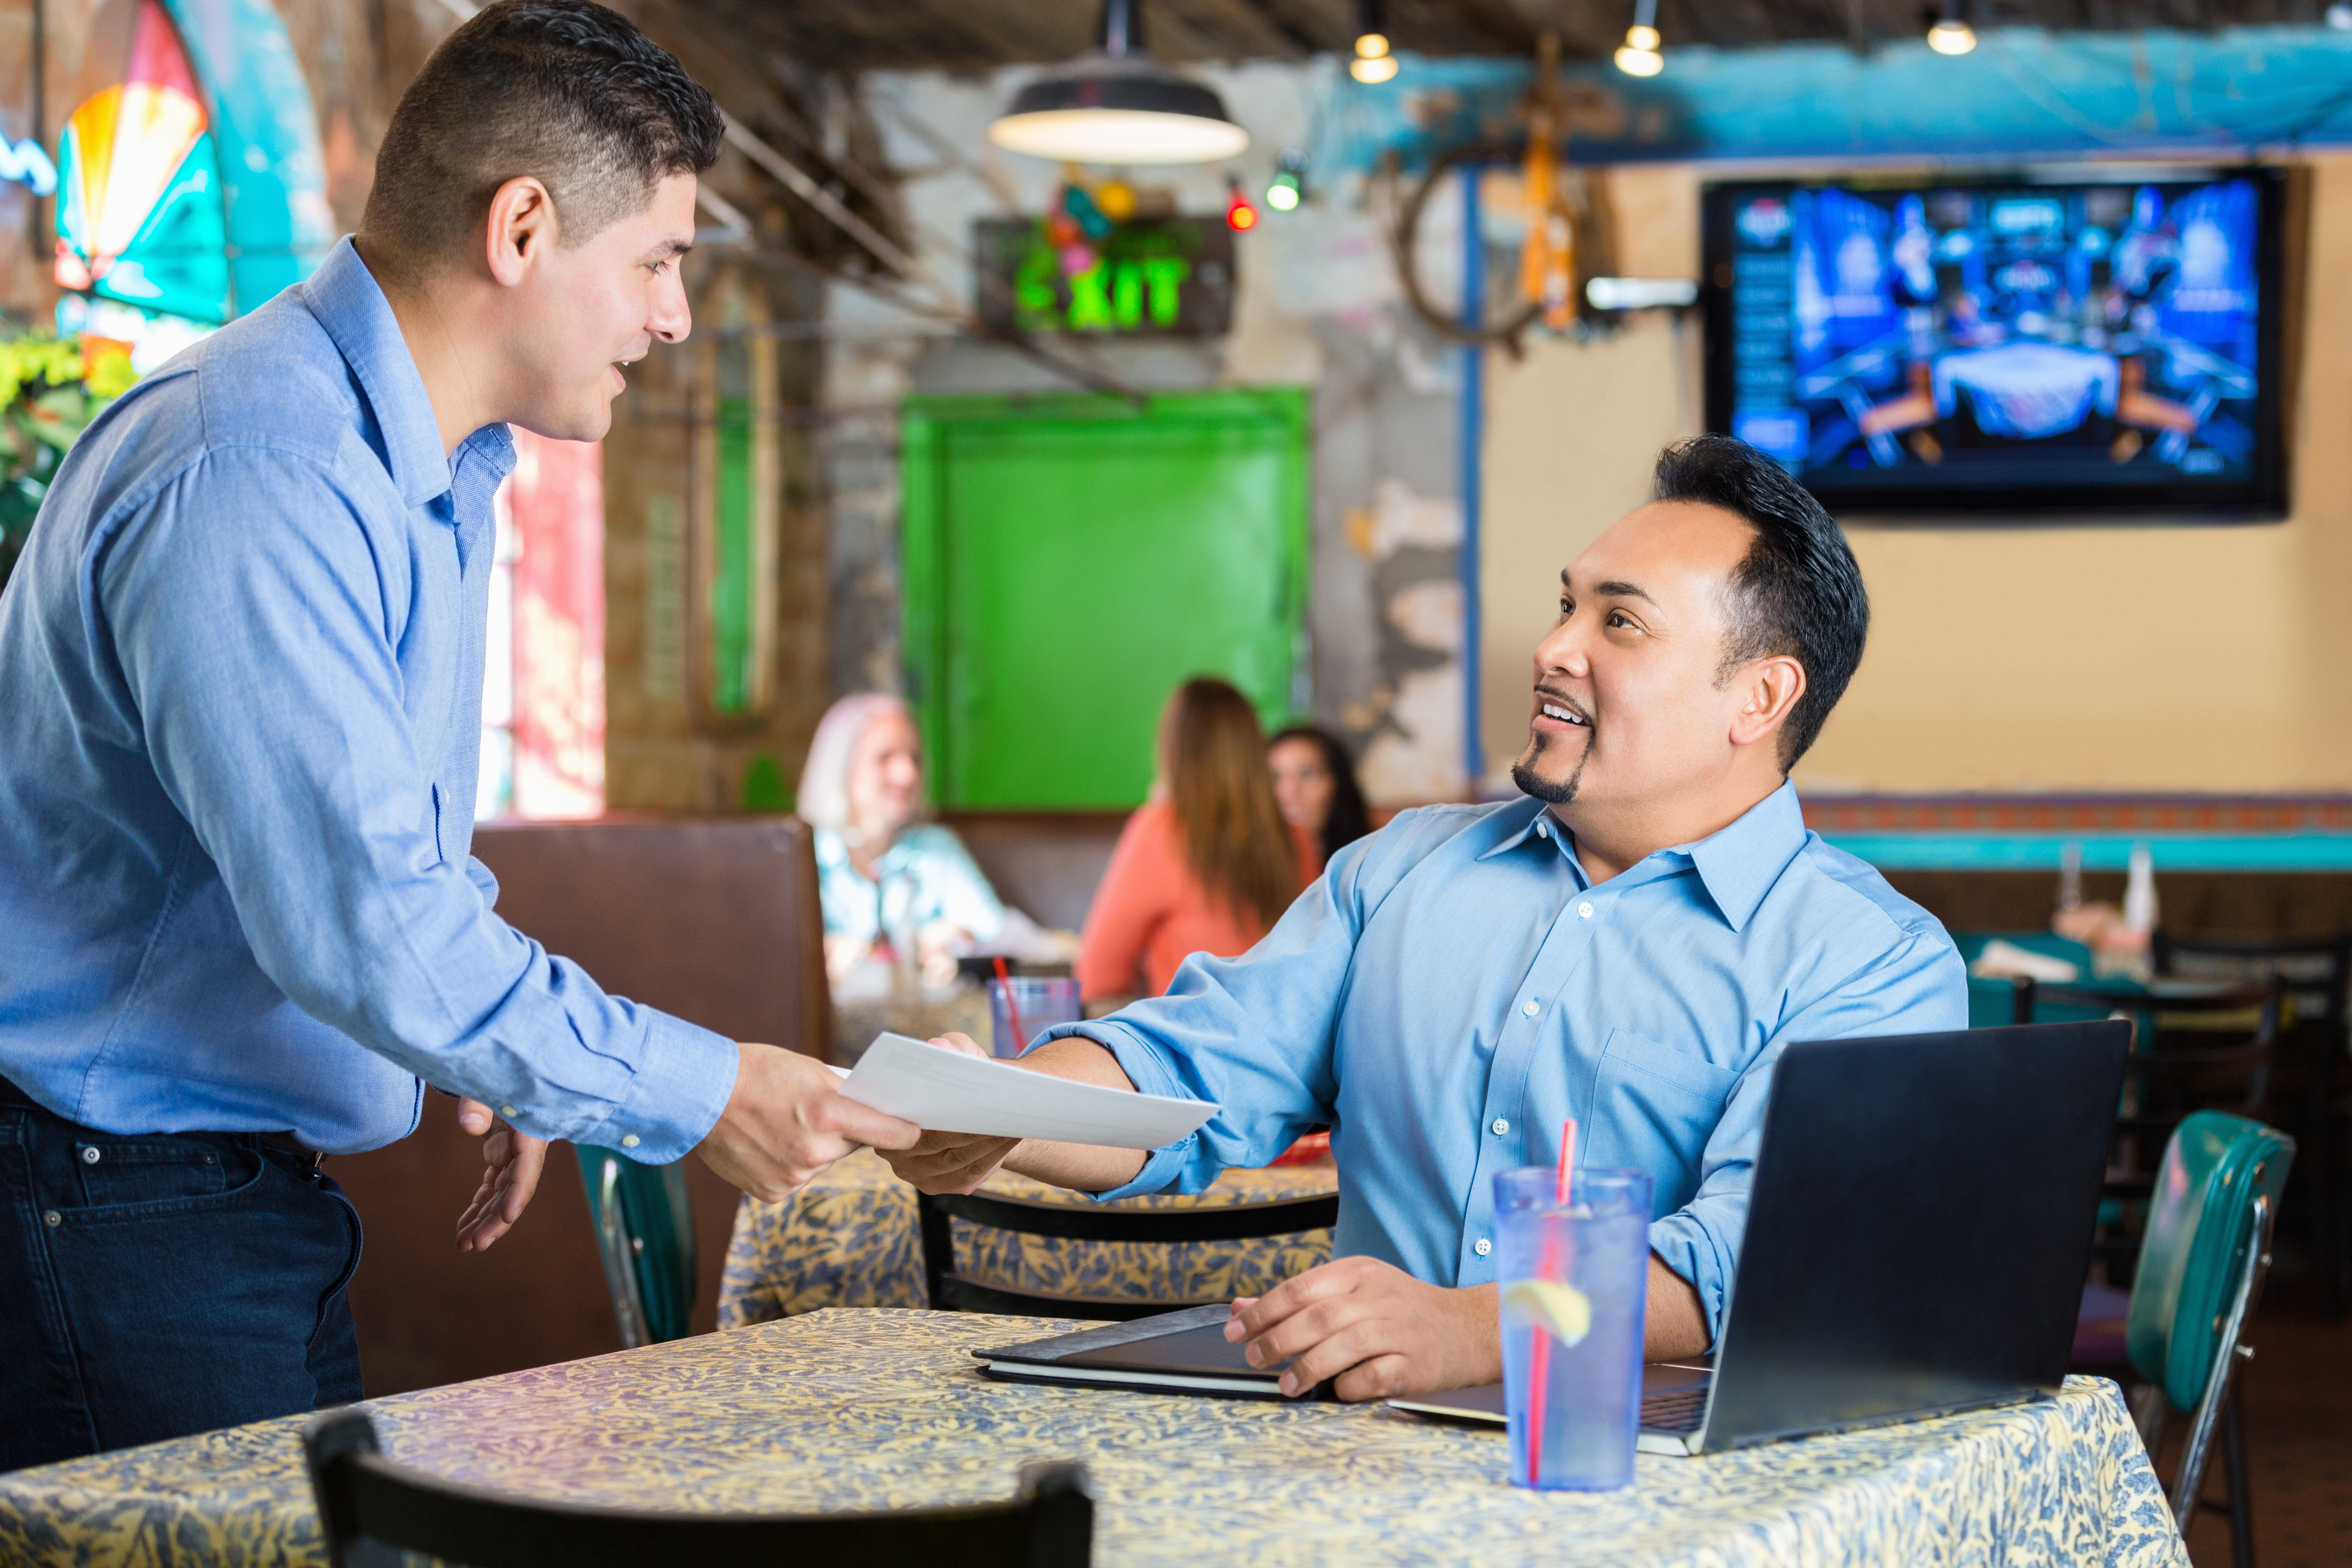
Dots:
{"x": 561, "y": 91}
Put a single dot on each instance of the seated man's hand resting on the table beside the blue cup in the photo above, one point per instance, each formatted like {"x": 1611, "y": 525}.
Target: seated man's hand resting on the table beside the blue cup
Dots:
{"x": 1375, "y": 1329}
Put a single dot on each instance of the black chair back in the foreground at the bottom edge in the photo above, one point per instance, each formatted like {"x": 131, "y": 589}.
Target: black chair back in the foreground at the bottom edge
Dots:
{"x": 363, "y": 1501}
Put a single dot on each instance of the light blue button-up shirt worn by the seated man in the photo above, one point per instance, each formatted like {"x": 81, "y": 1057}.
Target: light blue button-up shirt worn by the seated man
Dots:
{"x": 1455, "y": 986}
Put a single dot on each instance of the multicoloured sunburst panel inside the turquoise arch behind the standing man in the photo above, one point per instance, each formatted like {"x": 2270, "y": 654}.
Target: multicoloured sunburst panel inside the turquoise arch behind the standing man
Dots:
{"x": 140, "y": 213}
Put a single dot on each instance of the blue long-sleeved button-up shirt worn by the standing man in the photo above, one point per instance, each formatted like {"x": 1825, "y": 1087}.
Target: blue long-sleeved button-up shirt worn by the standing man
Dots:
{"x": 241, "y": 699}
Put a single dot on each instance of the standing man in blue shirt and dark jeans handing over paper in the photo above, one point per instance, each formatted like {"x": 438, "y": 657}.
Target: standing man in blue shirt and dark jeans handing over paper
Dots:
{"x": 241, "y": 683}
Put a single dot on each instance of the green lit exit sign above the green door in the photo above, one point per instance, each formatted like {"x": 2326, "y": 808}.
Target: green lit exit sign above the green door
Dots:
{"x": 1144, "y": 279}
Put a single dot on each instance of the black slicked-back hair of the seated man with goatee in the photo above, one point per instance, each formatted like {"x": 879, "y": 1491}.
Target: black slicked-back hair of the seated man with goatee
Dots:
{"x": 1798, "y": 591}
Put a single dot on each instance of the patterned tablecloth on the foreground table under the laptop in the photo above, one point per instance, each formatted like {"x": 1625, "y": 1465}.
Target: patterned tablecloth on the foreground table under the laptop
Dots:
{"x": 883, "y": 1409}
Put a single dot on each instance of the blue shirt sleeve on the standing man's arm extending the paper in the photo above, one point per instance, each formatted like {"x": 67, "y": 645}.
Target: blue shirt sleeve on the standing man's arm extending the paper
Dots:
{"x": 258, "y": 641}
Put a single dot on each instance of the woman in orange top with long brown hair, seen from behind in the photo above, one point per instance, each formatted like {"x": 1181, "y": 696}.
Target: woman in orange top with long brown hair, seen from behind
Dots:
{"x": 1205, "y": 866}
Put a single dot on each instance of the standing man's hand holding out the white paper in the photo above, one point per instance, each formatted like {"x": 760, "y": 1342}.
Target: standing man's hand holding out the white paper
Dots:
{"x": 787, "y": 1123}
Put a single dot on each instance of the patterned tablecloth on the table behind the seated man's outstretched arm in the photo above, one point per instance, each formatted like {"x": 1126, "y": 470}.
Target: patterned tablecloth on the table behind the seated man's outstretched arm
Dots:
{"x": 848, "y": 1240}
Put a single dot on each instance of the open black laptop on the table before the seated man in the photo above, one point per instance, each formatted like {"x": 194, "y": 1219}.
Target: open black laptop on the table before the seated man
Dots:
{"x": 1918, "y": 1238}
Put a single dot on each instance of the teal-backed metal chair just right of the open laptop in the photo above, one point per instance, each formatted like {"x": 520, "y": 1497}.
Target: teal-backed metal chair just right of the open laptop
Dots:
{"x": 2203, "y": 1266}
